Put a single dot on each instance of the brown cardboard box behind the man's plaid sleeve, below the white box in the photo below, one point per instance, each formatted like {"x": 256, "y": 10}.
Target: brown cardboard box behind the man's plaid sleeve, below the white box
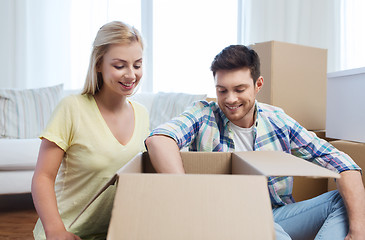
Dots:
{"x": 356, "y": 151}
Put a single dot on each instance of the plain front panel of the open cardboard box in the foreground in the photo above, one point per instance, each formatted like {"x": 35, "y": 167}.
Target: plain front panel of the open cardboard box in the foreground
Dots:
{"x": 168, "y": 206}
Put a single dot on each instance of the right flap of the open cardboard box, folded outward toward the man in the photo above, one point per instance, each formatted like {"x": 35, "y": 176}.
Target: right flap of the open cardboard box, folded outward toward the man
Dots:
{"x": 275, "y": 163}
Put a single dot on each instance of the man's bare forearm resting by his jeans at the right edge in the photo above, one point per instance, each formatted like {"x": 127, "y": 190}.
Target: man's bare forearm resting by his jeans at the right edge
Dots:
{"x": 351, "y": 187}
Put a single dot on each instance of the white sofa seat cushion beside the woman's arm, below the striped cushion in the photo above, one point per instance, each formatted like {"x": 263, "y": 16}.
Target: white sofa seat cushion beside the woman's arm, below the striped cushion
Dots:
{"x": 19, "y": 154}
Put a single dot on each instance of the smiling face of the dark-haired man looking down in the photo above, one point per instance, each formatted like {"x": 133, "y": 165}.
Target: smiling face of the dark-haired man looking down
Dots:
{"x": 236, "y": 94}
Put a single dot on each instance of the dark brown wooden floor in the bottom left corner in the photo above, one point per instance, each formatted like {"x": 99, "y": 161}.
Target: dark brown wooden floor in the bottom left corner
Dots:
{"x": 17, "y": 217}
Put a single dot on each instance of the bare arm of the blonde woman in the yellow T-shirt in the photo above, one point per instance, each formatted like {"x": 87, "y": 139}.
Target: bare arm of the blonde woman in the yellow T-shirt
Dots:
{"x": 44, "y": 197}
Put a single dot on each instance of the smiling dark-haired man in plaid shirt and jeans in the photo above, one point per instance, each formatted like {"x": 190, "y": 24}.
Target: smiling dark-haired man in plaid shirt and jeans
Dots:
{"x": 237, "y": 122}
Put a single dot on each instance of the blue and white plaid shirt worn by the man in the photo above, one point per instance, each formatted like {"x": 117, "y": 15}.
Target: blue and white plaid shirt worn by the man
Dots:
{"x": 204, "y": 127}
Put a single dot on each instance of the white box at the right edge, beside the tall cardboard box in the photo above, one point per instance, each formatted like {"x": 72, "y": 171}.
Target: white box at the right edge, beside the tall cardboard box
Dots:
{"x": 345, "y": 105}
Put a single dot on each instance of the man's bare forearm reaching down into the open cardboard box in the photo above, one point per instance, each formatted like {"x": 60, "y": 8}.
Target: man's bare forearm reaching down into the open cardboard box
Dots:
{"x": 164, "y": 154}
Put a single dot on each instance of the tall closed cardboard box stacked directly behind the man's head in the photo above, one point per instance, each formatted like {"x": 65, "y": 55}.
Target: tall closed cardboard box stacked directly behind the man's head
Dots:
{"x": 295, "y": 79}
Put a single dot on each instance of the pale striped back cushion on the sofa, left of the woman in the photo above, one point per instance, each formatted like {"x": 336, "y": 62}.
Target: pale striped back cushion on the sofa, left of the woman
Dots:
{"x": 24, "y": 113}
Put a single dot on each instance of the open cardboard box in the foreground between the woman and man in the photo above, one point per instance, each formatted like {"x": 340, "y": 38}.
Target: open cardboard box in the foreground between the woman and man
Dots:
{"x": 222, "y": 196}
